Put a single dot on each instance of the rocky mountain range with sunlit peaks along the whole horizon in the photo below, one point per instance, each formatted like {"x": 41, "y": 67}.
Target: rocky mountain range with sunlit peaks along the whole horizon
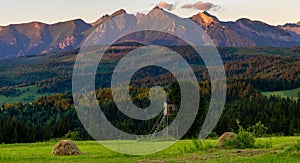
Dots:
{"x": 37, "y": 38}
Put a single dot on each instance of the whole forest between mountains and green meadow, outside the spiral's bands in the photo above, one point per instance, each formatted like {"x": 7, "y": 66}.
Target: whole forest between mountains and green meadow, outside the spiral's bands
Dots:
{"x": 249, "y": 72}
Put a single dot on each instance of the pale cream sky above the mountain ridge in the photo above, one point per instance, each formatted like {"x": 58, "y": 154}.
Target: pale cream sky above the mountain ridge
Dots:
{"x": 274, "y": 12}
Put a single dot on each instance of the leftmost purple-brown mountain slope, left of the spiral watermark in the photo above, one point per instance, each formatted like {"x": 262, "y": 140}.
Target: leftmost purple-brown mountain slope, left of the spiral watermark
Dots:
{"x": 38, "y": 38}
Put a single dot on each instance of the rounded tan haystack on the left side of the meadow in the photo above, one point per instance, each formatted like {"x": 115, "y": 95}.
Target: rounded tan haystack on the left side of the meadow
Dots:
{"x": 66, "y": 147}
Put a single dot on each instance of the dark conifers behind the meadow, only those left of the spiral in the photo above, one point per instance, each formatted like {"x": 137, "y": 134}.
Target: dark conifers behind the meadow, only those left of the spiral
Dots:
{"x": 43, "y": 119}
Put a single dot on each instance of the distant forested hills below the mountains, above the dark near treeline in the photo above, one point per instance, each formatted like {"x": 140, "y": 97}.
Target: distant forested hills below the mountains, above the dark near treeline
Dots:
{"x": 267, "y": 68}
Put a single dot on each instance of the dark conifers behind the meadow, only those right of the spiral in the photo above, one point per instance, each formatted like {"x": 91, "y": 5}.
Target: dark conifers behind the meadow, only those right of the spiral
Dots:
{"x": 249, "y": 106}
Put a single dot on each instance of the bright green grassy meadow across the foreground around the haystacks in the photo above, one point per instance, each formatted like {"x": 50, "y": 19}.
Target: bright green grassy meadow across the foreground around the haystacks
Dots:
{"x": 279, "y": 149}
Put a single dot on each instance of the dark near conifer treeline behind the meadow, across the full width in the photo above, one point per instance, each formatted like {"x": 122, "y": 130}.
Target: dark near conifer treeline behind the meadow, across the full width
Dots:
{"x": 54, "y": 116}
